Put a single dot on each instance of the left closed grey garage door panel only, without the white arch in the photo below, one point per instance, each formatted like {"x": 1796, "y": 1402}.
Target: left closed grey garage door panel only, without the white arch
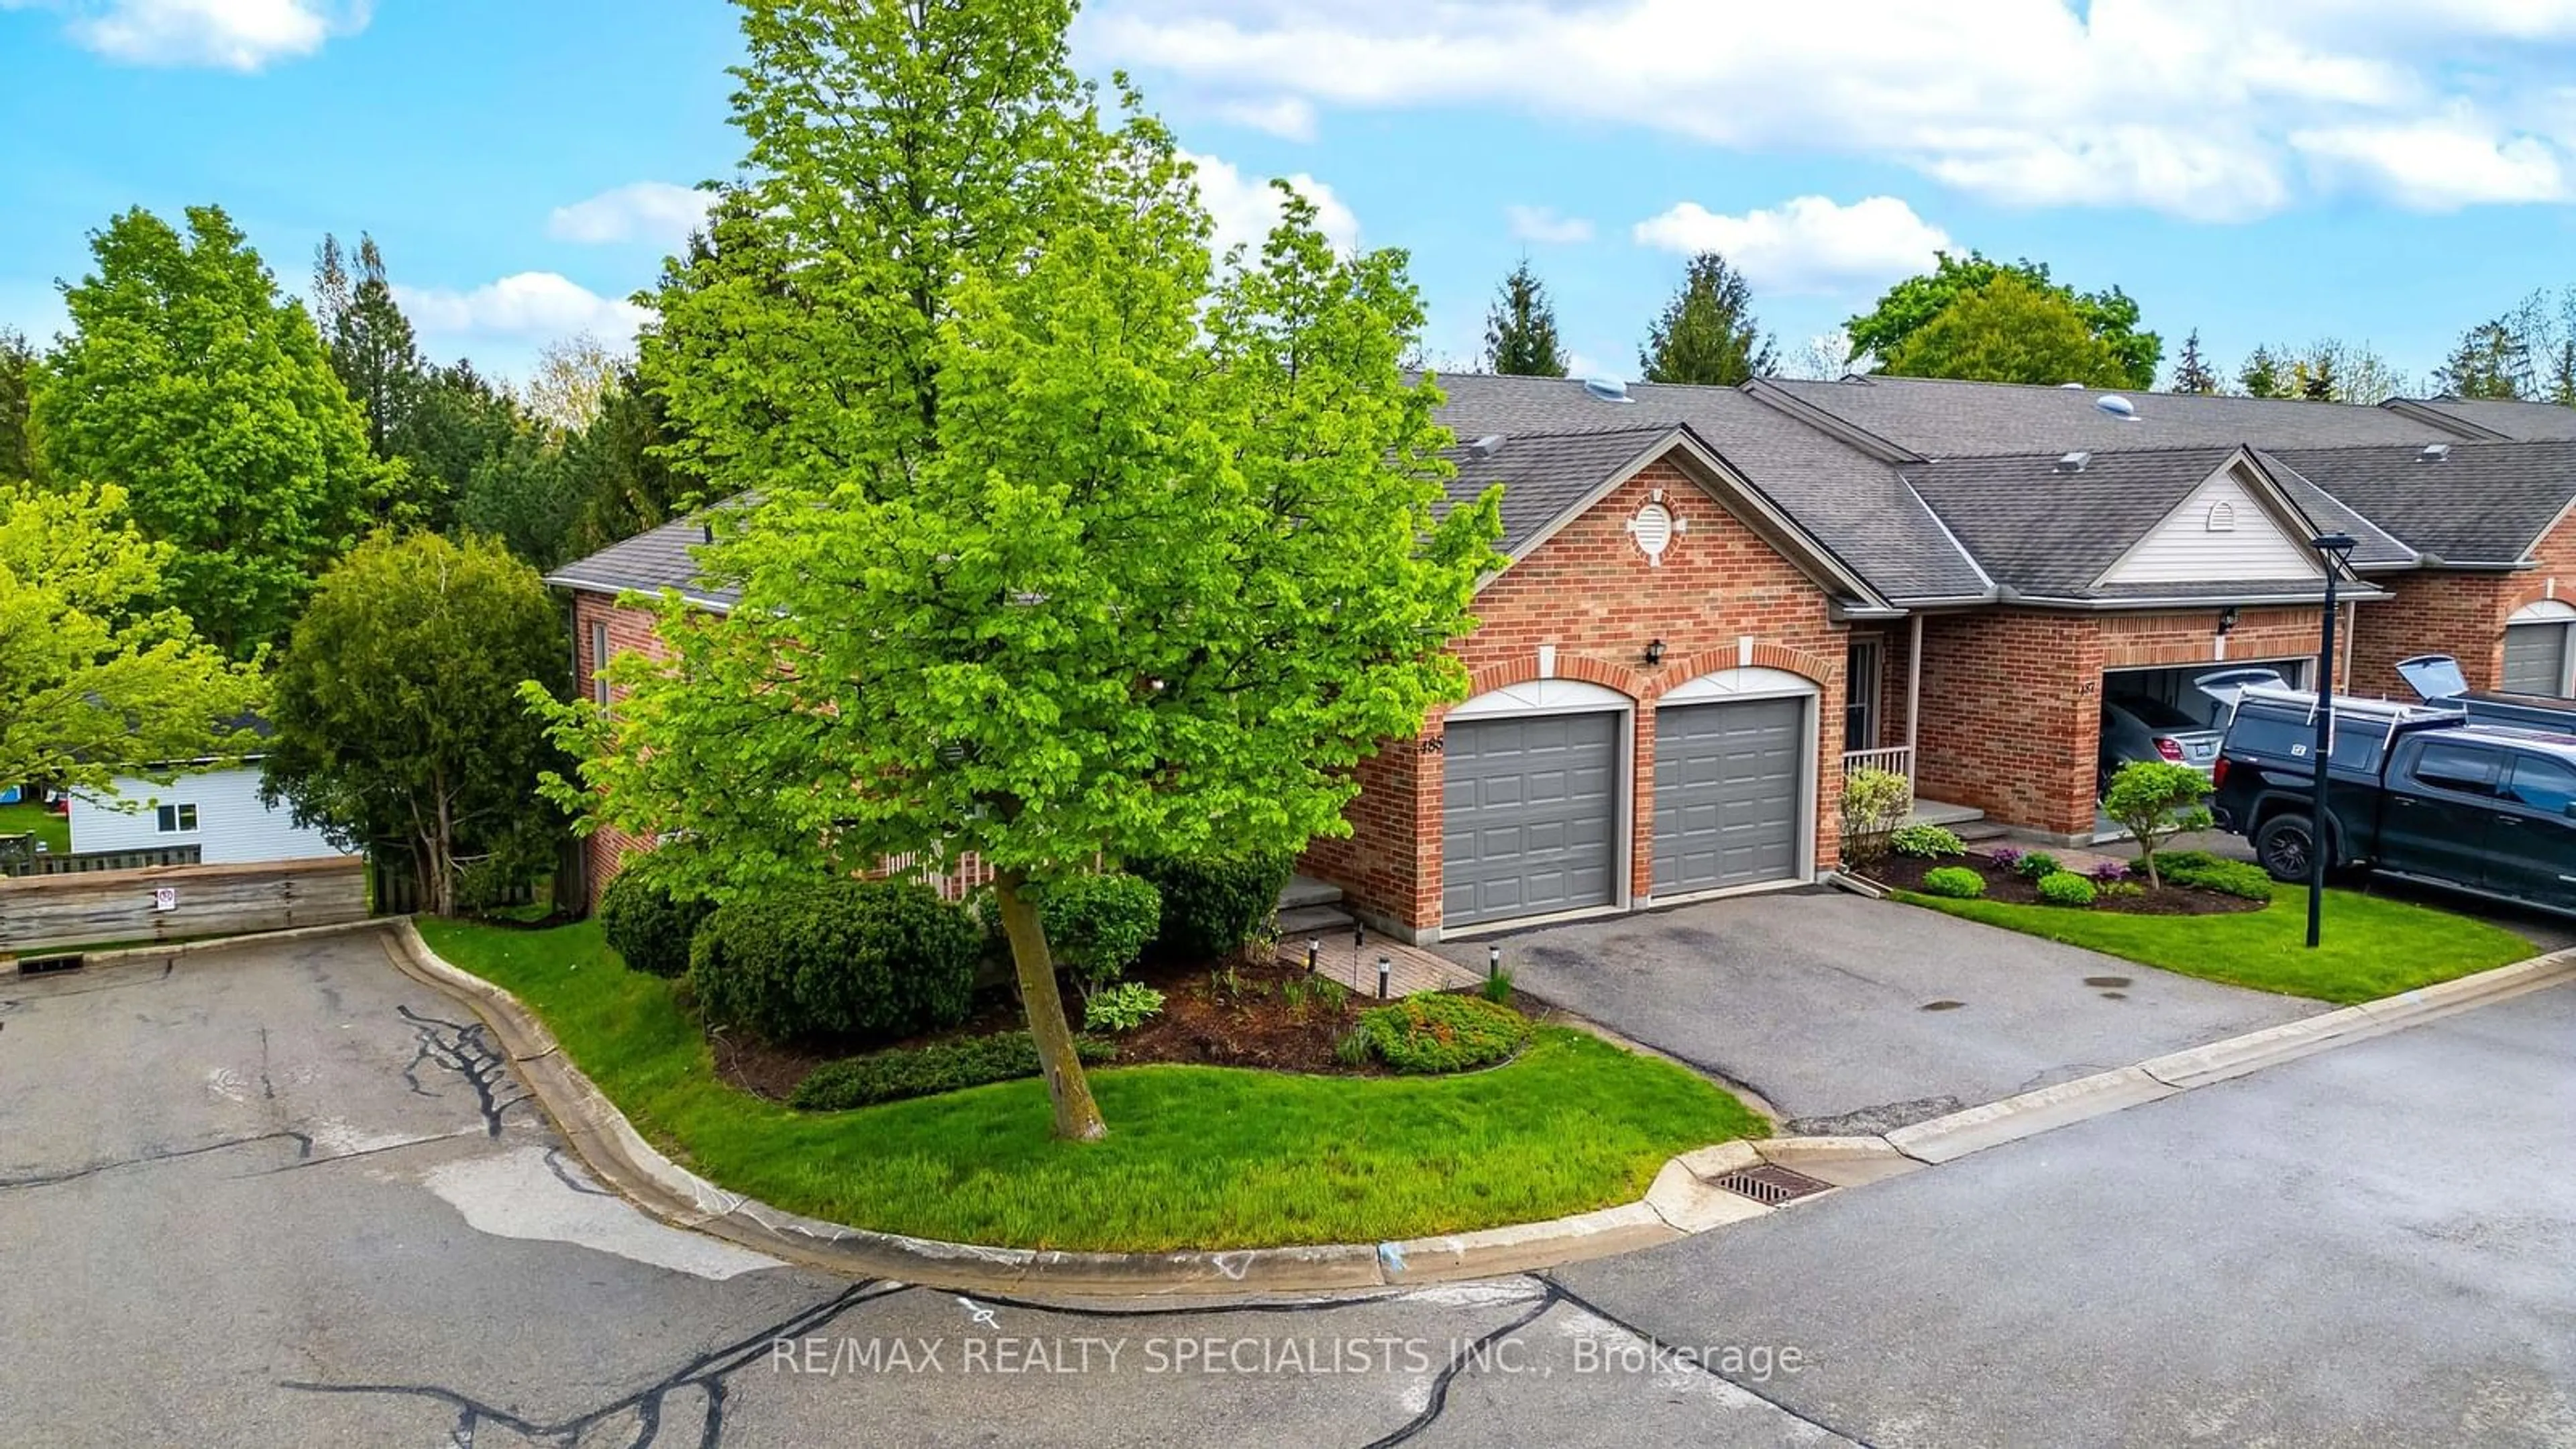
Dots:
{"x": 1529, "y": 816}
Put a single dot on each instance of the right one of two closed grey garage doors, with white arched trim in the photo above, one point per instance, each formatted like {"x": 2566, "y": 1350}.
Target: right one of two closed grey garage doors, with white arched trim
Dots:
{"x": 1735, "y": 752}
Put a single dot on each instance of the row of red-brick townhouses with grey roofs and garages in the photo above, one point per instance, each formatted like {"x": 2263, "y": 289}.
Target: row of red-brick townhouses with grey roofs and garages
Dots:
{"x": 1719, "y": 602}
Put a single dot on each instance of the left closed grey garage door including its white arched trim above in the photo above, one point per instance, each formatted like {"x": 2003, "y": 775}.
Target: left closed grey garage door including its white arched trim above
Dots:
{"x": 1537, "y": 772}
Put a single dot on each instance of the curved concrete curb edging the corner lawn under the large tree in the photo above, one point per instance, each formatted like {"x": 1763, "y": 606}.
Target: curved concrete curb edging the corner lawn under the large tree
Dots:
{"x": 622, "y": 1159}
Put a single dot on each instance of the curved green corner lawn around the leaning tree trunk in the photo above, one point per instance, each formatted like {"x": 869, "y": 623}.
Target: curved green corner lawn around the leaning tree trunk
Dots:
{"x": 1197, "y": 1156}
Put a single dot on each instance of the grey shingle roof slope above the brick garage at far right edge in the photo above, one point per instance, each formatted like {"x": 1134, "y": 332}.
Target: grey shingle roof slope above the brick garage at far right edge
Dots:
{"x": 2485, "y": 504}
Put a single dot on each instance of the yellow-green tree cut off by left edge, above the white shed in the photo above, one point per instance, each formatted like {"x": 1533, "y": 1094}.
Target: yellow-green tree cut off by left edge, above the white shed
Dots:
{"x": 97, "y": 674}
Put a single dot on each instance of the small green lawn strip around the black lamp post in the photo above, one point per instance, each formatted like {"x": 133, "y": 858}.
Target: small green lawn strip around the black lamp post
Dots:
{"x": 2369, "y": 948}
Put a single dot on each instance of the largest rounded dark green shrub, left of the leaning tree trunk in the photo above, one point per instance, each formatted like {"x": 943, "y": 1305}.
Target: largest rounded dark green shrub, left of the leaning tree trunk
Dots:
{"x": 838, "y": 963}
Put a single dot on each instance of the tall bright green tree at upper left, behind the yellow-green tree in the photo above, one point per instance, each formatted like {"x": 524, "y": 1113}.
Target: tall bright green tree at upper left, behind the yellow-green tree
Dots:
{"x": 207, "y": 396}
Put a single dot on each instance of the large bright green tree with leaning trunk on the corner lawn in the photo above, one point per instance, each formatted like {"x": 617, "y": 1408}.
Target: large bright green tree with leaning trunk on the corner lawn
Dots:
{"x": 1057, "y": 556}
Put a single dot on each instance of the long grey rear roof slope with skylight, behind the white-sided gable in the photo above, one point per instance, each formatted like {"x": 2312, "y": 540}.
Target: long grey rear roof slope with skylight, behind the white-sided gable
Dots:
{"x": 1946, "y": 419}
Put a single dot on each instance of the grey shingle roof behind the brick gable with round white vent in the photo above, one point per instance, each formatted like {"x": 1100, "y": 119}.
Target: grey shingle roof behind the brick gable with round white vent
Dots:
{"x": 1853, "y": 504}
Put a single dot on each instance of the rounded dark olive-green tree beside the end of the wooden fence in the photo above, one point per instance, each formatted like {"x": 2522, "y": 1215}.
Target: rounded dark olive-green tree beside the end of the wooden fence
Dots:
{"x": 401, "y": 721}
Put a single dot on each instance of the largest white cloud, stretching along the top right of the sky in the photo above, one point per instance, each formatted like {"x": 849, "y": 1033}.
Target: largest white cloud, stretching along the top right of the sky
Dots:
{"x": 2206, "y": 110}
